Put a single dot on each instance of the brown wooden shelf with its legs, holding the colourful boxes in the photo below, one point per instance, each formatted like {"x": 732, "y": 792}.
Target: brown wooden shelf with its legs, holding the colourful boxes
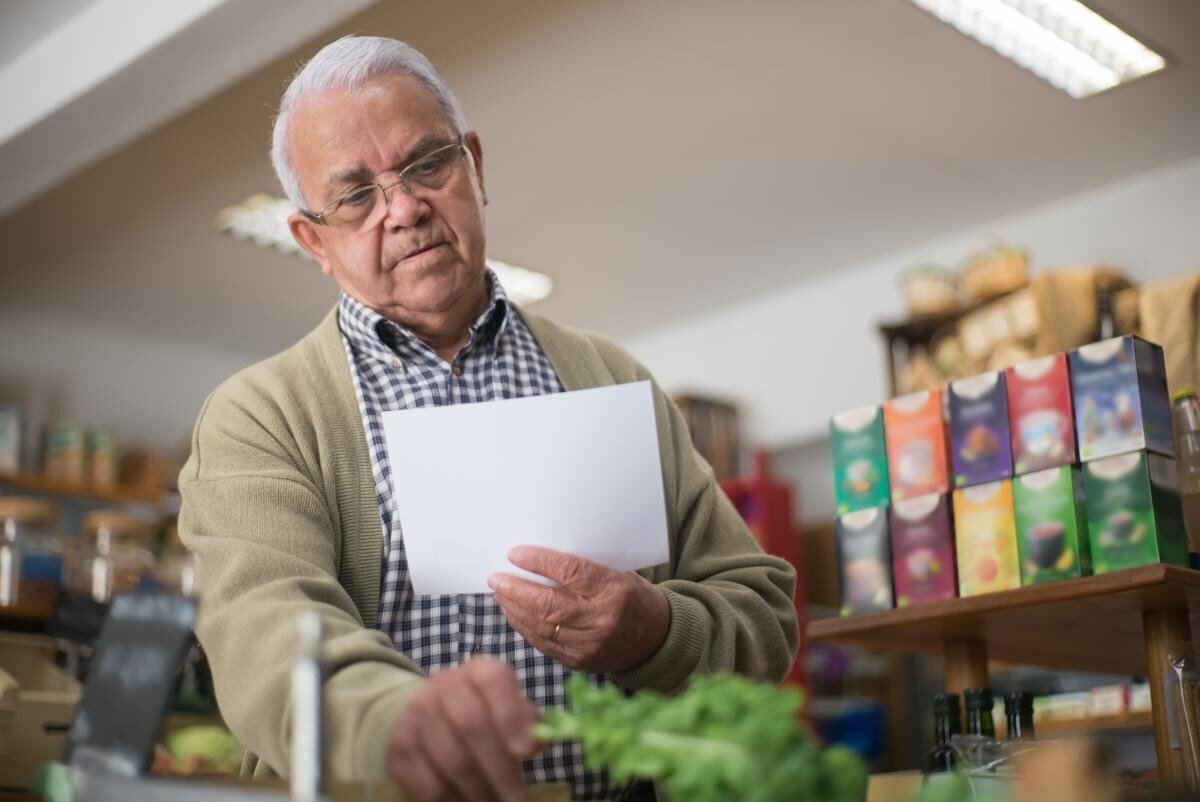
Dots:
{"x": 1131, "y": 623}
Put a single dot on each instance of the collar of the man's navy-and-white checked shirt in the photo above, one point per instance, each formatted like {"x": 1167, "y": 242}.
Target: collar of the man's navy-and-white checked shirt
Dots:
{"x": 375, "y": 334}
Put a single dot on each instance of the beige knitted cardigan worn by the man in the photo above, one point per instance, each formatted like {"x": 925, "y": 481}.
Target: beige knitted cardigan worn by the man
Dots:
{"x": 280, "y": 510}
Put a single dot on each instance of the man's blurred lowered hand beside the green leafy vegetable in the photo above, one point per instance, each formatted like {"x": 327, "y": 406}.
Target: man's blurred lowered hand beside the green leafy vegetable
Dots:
{"x": 464, "y": 737}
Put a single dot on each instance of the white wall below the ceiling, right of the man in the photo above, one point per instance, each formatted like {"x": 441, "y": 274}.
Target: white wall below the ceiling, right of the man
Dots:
{"x": 800, "y": 355}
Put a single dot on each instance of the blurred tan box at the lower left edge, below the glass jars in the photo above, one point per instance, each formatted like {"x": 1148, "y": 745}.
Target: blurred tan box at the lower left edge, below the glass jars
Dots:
{"x": 38, "y": 702}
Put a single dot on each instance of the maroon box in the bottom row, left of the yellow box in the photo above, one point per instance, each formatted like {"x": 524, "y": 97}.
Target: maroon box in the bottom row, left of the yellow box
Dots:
{"x": 923, "y": 567}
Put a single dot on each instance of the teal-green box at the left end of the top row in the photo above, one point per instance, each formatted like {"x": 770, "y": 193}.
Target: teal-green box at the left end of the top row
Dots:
{"x": 860, "y": 460}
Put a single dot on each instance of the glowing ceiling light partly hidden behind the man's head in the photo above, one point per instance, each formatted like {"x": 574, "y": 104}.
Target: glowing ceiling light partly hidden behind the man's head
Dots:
{"x": 263, "y": 220}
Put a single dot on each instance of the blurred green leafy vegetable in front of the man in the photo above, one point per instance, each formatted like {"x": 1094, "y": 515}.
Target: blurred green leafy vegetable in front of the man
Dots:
{"x": 724, "y": 740}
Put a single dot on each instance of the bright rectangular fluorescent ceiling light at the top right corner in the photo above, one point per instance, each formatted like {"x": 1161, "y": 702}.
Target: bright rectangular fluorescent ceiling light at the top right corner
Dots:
{"x": 1061, "y": 41}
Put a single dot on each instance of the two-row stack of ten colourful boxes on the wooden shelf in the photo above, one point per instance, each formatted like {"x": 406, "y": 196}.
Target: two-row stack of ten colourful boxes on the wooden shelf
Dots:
{"x": 1055, "y": 468}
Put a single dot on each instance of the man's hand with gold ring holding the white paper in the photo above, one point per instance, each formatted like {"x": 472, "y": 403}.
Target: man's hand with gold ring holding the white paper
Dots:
{"x": 598, "y": 620}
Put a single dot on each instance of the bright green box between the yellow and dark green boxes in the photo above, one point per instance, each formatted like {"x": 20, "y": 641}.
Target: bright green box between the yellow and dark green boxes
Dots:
{"x": 1052, "y": 526}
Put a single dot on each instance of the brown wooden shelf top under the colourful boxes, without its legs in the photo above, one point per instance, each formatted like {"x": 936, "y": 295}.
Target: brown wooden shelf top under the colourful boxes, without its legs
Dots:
{"x": 1094, "y": 624}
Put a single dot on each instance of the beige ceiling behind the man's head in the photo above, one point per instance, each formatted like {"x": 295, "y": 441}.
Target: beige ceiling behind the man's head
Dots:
{"x": 656, "y": 159}
